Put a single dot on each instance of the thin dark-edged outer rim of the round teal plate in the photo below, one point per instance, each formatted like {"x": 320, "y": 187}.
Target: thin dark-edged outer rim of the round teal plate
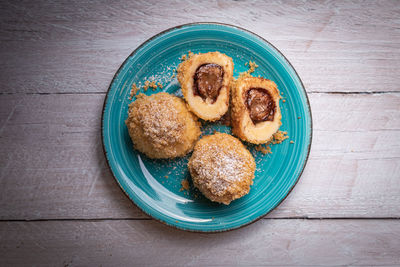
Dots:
{"x": 106, "y": 153}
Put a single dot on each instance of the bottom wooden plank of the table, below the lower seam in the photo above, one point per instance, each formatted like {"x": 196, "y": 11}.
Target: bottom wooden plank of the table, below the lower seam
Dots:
{"x": 149, "y": 243}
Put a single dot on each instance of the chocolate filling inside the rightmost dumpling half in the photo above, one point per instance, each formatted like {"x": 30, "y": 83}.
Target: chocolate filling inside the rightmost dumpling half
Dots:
{"x": 260, "y": 104}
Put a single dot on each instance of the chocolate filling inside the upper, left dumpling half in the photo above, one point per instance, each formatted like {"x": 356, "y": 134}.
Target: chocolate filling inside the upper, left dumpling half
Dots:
{"x": 208, "y": 81}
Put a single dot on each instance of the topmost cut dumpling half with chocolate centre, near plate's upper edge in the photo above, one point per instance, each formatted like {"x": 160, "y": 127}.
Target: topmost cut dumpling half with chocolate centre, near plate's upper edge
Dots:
{"x": 205, "y": 80}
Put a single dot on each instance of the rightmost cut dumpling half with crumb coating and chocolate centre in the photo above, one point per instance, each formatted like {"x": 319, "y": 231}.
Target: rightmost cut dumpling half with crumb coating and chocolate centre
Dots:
{"x": 256, "y": 115}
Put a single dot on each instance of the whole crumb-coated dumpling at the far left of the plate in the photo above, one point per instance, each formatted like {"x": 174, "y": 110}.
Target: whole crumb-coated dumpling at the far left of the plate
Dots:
{"x": 161, "y": 126}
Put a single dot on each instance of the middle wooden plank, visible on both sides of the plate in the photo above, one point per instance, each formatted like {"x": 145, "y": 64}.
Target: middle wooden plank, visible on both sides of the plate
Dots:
{"x": 52, "y": 163}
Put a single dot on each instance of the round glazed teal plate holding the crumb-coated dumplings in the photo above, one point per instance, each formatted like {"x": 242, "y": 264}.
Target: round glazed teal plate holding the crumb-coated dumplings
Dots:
{"x": 155, "y": 185}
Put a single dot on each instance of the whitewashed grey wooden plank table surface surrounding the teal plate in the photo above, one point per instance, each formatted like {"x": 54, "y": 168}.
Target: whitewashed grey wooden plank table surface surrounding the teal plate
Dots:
{"x": 59, "y": 204}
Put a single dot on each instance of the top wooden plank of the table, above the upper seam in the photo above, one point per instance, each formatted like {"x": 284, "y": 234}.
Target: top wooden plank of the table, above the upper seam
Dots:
{"x": 56, "y": 46}
